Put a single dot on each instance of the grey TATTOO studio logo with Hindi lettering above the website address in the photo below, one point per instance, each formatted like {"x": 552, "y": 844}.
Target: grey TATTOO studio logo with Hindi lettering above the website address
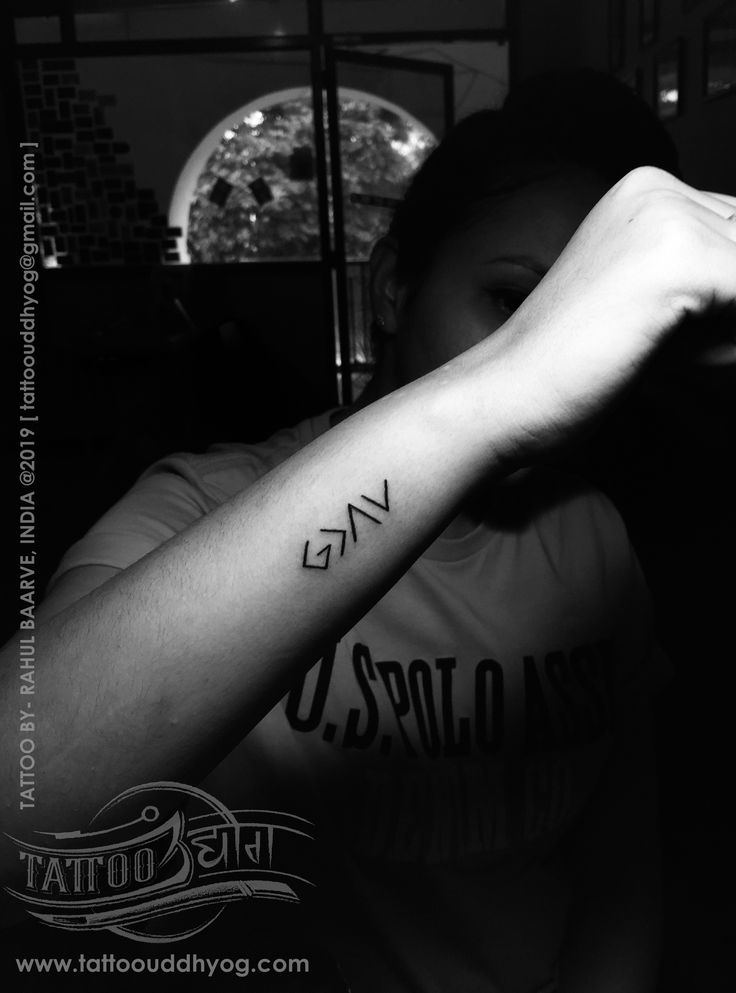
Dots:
{"x": 165, "y": 868}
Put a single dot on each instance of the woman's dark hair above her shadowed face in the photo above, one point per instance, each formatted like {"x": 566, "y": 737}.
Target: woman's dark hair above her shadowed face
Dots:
{"x": 552, "y": 121}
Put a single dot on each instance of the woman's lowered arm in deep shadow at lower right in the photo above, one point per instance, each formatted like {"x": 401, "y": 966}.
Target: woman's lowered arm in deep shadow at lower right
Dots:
{"x": 612, "y": 940}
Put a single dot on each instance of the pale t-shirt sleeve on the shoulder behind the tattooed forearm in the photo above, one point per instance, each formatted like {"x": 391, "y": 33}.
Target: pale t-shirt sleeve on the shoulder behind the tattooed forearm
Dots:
{"x": 166, "y": 499}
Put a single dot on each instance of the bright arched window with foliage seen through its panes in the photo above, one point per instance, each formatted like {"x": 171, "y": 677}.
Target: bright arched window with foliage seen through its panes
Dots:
{"x": 249, "y": 192}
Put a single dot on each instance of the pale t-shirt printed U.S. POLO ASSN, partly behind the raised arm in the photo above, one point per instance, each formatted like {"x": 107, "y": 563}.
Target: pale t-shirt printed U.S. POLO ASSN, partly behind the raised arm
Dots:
{"x": 451, "y": 737}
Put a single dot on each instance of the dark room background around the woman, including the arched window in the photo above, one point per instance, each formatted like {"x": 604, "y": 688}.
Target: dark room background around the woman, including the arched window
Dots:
{"x": 144, "y": 348}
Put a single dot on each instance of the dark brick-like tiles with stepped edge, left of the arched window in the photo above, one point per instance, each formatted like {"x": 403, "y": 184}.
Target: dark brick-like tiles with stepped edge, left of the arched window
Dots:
{"x": 92, "y": 210}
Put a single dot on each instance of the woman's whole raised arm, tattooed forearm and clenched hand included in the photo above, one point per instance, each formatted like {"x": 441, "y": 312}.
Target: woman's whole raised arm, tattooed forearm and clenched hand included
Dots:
{"x": 157, "y": 672}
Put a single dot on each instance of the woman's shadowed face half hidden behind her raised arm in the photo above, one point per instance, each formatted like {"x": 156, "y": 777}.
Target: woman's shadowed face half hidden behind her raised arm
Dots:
{"x": 483, "y": 272}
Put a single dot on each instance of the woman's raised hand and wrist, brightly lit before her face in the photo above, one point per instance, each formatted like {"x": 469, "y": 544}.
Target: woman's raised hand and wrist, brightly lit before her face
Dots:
{"x": 652, "y": 251}
